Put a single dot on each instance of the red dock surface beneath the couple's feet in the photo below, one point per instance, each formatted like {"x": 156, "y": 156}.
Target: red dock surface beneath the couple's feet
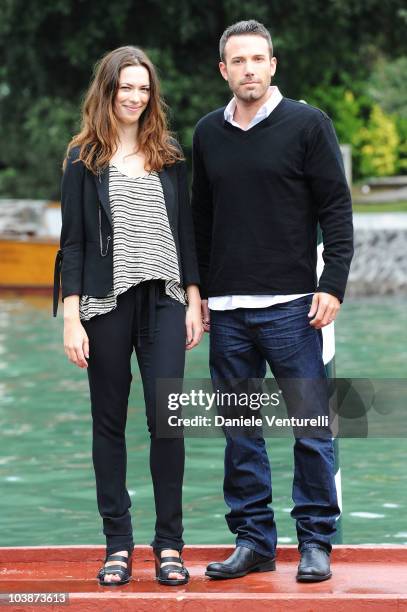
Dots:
{"x": 364, "y": 578}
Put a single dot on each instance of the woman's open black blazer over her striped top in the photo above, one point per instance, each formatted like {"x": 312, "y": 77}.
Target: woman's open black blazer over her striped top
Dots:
{"x": 85, "y": 259}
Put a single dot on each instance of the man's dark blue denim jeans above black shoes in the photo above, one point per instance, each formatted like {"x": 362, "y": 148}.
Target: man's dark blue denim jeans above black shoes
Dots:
{"x": 242, "y": 341}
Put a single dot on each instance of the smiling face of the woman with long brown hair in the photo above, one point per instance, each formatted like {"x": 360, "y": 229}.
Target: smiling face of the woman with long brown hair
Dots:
{"x": 132, "y": 95}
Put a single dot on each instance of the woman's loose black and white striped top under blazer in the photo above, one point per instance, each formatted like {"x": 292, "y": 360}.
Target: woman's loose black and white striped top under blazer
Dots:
{"x": 143, "y": 244}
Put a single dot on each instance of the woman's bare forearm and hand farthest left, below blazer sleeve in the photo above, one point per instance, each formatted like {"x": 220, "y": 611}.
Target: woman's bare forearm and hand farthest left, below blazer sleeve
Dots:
{"x": 76, "y": 342}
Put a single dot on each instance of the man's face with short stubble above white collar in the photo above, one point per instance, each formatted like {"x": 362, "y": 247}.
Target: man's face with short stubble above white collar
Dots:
{"x": 248, "y": 67}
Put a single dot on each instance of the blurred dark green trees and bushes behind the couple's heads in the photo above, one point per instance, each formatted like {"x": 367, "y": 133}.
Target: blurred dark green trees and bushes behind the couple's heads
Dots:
{"x": 49, "y": 48}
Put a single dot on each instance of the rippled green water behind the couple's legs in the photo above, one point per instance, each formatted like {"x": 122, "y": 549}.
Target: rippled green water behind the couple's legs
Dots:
{"x": 47, "y": 491}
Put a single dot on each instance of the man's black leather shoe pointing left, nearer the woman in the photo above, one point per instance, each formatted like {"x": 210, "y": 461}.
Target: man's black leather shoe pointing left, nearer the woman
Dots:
{"x": 243, "y": 561}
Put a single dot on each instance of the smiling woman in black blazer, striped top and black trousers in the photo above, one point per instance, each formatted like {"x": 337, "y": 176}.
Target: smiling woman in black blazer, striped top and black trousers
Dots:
{"x": 129, "y": 279}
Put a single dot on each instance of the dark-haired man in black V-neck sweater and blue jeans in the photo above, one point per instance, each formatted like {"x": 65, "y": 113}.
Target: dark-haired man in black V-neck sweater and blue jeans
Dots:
{"x": 267, "y": 170}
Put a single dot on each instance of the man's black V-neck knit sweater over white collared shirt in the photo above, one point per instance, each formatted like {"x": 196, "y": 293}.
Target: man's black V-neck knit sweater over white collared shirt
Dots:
{"x": 257, "y": 198}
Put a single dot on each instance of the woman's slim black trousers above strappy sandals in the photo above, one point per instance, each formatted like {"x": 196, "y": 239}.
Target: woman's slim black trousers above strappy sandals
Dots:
{"x": 152, "y": 323}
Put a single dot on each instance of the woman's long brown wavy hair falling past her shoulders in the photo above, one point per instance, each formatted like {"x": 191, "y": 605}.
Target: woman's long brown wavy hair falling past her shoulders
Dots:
{"x": 98, "y": 137}
